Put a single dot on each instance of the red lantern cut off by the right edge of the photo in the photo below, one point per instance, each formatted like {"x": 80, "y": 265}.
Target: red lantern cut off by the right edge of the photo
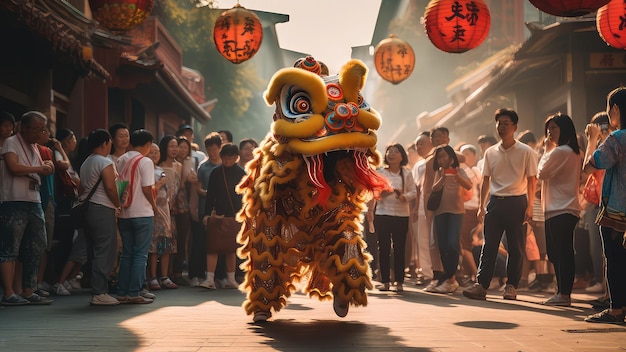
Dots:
{"x": 610, "y": 23}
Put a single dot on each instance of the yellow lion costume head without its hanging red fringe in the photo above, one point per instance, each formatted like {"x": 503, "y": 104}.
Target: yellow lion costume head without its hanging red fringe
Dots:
{"x": 317, "y": 115}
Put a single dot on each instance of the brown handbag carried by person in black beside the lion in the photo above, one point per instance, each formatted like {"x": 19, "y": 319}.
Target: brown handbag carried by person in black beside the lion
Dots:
{"x": 222, "y": 231}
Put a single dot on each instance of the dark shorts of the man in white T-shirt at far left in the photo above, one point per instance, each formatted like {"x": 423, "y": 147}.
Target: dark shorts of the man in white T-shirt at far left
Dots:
{"x": 21, "y": 221}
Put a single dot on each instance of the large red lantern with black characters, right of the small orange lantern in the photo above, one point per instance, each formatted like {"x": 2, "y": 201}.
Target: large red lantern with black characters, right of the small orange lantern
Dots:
{"x": 456, "y": 26}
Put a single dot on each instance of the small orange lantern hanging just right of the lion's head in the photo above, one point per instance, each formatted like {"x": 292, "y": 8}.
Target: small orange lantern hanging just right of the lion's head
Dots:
{"x": 394, "y": 59}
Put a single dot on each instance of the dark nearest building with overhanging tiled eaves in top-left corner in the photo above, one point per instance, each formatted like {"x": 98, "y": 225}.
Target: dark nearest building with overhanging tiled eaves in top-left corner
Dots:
{"x": 46, "y": 49}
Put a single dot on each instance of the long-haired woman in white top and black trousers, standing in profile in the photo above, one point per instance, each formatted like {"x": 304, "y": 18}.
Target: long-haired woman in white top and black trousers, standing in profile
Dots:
{"x": 559, "y": 169}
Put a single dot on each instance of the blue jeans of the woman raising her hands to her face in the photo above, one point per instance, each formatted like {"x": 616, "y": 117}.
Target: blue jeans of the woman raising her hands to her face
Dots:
{"x": 448, "y": 227}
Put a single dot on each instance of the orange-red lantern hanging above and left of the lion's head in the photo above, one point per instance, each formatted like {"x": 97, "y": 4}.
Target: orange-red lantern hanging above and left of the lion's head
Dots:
{"x": 238, "y": 34}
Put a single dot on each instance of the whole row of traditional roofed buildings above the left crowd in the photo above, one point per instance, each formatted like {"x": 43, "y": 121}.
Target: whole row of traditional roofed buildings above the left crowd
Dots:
{"x": 58, "y": 61}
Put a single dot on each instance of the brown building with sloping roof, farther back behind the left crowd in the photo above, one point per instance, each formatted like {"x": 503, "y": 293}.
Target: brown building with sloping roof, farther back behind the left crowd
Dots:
{"x": 149, "y": 86}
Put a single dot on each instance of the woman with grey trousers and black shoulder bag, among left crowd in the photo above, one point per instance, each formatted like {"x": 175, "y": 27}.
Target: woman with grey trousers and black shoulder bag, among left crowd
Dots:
{"x": 101, "y": 232}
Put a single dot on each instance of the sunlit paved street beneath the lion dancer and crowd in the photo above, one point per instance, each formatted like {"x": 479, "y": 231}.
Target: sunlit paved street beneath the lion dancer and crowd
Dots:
{"x": 194, "y": 319}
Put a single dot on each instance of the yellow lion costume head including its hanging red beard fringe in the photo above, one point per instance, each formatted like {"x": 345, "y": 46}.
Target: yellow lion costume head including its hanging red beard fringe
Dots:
{"x": 324, "y": 118}
